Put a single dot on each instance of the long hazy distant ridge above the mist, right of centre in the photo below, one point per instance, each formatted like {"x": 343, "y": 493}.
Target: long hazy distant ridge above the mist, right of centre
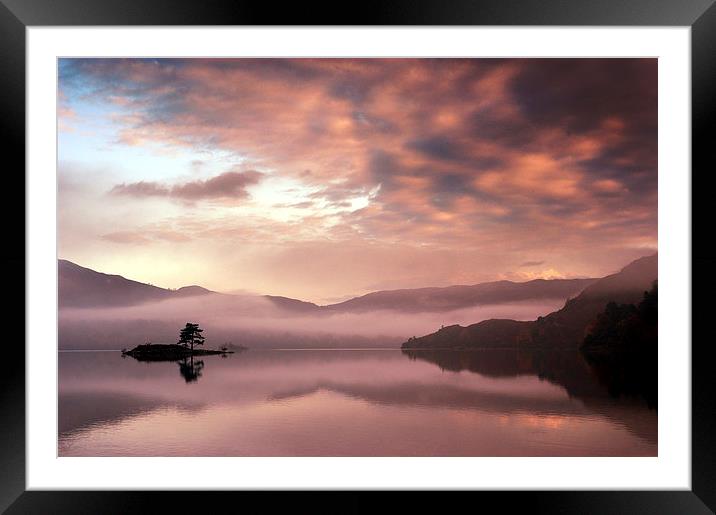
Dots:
{"x": 457, "y": 297}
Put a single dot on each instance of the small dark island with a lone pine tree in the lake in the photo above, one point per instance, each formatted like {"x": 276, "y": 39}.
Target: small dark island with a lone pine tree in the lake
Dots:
{"x": 189, "y": 336}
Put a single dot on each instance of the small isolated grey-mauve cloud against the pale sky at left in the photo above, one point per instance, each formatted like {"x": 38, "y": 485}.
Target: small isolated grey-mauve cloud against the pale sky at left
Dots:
{"x": 229, "y": 185}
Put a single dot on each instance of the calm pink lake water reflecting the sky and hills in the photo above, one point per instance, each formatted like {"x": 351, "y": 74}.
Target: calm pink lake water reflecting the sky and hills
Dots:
{"x": 350, "y": 403}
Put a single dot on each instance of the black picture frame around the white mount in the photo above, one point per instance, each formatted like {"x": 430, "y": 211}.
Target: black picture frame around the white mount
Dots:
{"x": 16, "y": 15}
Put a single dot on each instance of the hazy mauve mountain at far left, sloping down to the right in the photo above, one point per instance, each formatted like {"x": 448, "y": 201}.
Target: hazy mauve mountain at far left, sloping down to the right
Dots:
{"x": 82, "y": 287}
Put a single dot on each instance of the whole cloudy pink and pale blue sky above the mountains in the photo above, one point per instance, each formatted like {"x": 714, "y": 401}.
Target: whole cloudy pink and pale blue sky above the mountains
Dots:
{"x": 322, "y": 179}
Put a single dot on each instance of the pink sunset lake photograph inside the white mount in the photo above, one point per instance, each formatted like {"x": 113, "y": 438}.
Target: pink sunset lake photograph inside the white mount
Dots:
{"x": 357, "y": 256}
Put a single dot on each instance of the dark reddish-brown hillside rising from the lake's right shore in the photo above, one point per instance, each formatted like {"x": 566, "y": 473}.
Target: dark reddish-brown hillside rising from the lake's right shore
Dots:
{"x": 566, "y": 327}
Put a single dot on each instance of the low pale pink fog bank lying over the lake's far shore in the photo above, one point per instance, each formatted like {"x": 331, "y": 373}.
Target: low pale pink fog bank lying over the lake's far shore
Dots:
{"x": 257, "y": 322}
